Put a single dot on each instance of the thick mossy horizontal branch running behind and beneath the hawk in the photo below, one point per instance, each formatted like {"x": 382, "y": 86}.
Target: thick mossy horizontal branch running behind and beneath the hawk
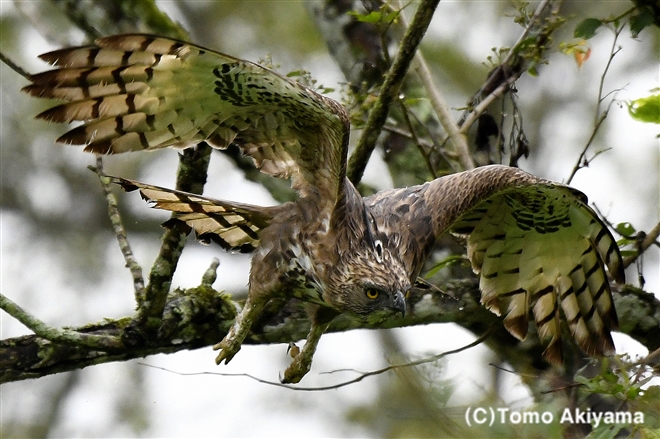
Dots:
{"x": 201, "y": 316}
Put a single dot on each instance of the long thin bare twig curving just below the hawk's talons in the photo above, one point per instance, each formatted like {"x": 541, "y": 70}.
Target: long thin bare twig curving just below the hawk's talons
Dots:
{"x": 339, "y": 385}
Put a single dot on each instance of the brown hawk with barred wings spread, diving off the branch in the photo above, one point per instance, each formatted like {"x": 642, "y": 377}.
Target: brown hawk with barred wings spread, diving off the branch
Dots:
{"x": 540, "y": 251}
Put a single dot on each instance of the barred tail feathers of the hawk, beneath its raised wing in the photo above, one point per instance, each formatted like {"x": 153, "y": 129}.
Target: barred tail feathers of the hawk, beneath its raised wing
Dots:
{"x": 233, "y": 226}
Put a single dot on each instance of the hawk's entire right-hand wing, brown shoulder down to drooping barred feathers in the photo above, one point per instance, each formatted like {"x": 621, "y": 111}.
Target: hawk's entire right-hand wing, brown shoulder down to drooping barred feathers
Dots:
{"x": 535, "y": 245}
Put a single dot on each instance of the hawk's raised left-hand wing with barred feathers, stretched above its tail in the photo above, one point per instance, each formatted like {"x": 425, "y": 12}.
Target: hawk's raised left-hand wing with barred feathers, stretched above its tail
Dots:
{"x": 137, "y": 92}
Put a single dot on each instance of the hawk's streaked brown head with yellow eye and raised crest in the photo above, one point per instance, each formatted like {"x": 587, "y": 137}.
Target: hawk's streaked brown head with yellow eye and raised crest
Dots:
{"x": 368, "y": 281}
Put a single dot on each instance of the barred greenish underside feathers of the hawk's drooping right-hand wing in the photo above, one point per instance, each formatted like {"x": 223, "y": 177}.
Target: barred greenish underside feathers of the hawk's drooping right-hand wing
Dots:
{"x": 543, "y": 247}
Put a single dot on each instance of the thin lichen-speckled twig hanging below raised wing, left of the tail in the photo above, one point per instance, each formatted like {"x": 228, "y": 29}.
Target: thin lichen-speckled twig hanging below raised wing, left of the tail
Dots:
{"x": 120, "y": 232}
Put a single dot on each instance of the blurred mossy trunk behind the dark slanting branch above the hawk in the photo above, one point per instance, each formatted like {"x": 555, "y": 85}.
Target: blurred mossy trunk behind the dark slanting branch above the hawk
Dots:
{"x": 360, "y": 50}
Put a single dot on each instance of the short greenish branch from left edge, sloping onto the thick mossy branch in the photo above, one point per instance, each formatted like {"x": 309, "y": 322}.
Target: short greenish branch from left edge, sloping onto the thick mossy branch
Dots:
{"x": 58, "y": 335}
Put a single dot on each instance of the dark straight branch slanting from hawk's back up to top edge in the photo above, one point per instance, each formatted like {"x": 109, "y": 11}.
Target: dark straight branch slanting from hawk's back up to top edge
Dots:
{"x": 390, "y": 89}
